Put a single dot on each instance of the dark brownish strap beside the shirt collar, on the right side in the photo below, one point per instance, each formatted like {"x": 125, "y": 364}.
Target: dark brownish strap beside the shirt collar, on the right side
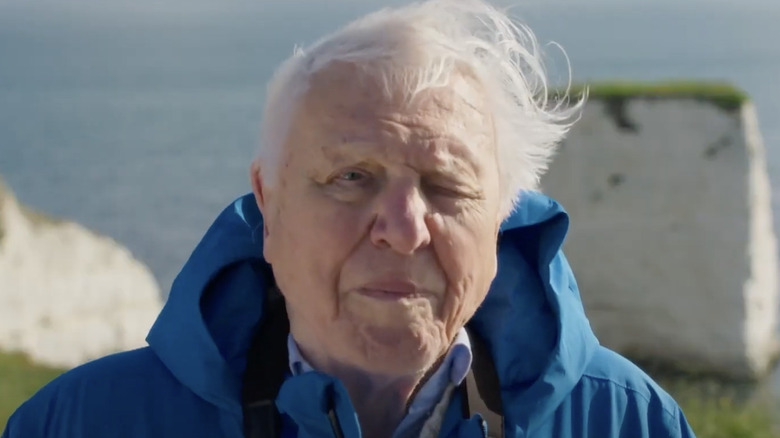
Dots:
{"x": 482, "y": 389}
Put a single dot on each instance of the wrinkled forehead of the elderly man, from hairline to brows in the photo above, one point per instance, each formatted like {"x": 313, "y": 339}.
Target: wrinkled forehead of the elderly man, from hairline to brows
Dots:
{"x": 354, "y": 98}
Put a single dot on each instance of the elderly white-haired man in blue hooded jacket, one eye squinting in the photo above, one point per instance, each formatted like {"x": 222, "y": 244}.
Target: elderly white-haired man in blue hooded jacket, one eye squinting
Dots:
{"x": 394, "y": 274}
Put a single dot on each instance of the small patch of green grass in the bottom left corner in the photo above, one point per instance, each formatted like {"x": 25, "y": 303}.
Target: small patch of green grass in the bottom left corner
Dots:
{"x": 20, "y": 379}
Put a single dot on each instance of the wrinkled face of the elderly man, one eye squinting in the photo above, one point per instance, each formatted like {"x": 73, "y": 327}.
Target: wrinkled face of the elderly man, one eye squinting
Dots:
{"x": 382, "y": 226}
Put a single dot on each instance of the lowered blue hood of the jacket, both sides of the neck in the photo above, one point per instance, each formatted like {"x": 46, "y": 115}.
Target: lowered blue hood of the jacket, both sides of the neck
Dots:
{"x": 532, "y": 319}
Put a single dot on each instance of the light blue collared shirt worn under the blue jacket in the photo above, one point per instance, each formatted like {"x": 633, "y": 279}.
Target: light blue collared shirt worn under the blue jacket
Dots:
{"x": 452, "y": 371}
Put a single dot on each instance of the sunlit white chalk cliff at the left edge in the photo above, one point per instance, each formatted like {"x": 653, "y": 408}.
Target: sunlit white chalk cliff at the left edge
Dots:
{"x": 68, "y": 295}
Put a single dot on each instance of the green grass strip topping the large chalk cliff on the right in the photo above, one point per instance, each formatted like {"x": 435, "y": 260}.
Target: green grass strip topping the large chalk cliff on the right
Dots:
{"x": 722, "y": 94}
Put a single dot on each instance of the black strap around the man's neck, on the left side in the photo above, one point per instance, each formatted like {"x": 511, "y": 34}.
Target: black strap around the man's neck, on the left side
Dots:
{"x": 267, "y": 365}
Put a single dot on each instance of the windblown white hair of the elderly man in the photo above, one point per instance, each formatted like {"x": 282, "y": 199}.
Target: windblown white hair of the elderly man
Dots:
{"x": 417, "y": 47}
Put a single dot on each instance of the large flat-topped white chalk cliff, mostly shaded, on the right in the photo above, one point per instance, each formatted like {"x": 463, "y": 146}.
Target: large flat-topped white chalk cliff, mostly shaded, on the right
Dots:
{"x": 672, "y": 238}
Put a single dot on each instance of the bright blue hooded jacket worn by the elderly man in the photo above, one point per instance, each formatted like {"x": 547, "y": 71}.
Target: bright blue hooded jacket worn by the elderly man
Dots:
{"x": 556, "y": 381}
